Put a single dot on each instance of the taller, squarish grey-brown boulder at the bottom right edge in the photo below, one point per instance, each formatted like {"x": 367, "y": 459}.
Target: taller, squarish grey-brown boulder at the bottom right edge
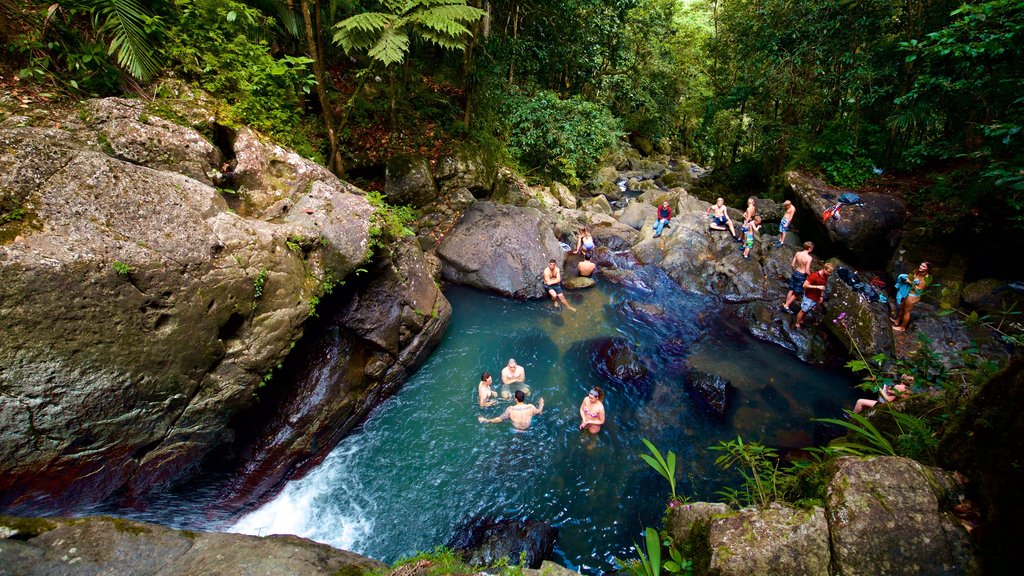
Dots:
{"x": 890, "y": 517}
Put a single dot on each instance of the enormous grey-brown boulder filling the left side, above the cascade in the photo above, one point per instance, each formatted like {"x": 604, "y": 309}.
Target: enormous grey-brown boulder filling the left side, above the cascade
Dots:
{"x": 140, "y": 314}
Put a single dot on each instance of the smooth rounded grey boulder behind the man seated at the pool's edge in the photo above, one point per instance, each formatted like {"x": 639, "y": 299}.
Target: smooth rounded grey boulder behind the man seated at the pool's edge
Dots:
{"x": 501, "y": 249}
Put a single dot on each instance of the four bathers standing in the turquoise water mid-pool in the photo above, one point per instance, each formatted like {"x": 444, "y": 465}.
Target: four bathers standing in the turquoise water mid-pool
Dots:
{"x": 520, "y": 414}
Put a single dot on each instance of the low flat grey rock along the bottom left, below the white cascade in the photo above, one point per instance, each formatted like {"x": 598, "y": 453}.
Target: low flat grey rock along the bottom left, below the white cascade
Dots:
{"x": 116, "y": 547}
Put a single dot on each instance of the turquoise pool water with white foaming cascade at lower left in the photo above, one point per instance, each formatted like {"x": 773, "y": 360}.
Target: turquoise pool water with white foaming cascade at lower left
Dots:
{"x": 422, "y": 465}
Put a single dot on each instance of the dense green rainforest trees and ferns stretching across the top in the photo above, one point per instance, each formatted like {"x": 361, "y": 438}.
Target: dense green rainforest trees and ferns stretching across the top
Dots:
{"x": 847, "y": 89}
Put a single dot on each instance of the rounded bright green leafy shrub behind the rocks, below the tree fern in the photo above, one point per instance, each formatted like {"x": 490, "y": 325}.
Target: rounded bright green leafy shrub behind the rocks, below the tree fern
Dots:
{"x": 561, "y": 139}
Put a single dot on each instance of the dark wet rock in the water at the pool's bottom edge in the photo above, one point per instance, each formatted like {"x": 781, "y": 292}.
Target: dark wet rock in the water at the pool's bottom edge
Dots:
{"x": 486, "y": 542}
